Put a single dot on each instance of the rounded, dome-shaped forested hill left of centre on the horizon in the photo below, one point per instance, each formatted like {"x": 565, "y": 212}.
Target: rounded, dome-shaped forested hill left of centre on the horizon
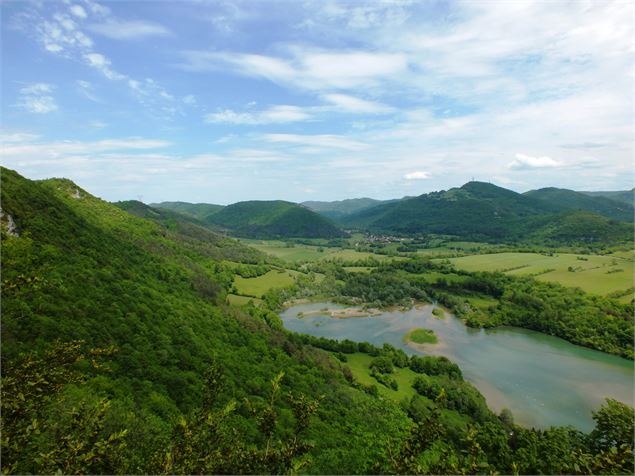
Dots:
{"x": 274, "y": 219}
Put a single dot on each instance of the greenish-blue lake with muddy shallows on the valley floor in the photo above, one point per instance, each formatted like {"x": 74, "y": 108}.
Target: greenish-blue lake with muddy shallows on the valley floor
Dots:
{"x": 542, "y": 379}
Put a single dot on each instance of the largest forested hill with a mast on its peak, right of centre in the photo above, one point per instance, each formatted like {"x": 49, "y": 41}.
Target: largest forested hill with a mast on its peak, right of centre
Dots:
{"x": 483, "y": 211}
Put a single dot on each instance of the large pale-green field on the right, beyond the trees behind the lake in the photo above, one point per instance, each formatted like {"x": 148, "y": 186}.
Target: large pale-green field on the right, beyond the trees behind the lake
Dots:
{"x": 593, "y": 273}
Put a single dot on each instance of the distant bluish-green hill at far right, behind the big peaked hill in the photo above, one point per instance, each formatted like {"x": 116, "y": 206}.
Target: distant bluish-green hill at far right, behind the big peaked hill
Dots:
{"x": 579, "y": 201}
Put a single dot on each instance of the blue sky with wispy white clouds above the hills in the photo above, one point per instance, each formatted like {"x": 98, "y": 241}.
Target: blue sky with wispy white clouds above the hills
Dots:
{"x": 223, "y": 101}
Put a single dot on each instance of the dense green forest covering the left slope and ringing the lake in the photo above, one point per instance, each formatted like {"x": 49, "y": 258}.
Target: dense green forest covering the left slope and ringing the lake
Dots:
{"x": 121, "y": 356}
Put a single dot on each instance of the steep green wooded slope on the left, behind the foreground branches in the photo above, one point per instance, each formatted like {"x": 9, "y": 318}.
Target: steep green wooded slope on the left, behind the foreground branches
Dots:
{"x": 77, "y": 267}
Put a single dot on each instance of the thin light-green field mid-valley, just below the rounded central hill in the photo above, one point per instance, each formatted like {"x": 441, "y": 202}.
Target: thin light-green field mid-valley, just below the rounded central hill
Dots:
{"x": 298, "y": 252}
